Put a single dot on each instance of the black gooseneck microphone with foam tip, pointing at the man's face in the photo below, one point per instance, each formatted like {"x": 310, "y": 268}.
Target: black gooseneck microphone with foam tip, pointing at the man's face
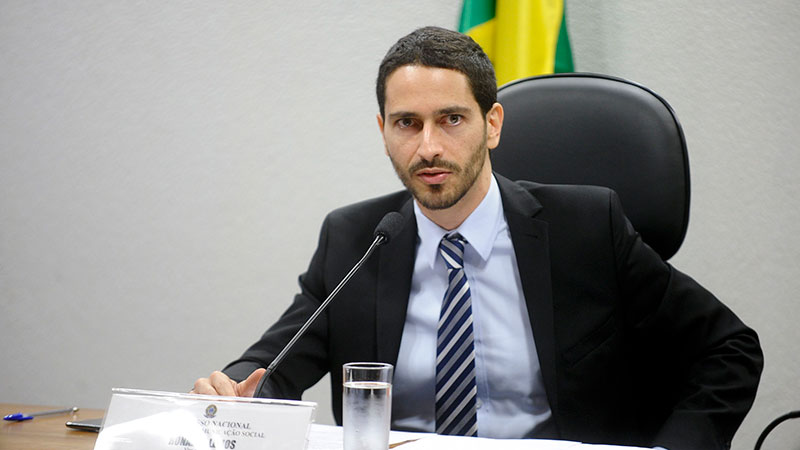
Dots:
{"x": 389, "y": 226}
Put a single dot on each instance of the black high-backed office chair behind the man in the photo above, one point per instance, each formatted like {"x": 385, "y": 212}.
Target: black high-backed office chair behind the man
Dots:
{"x": 594, "y": 129}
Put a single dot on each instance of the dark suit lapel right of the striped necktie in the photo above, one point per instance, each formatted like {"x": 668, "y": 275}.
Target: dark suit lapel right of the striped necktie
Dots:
{"x": 530, "y": 238}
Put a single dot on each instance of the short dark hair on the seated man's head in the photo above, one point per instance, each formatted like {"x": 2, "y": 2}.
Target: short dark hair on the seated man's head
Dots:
{"x": 446, "y": 49}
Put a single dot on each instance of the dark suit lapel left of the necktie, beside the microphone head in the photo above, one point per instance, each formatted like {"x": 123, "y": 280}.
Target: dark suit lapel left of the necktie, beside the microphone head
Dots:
{"x": 395, "y": 267}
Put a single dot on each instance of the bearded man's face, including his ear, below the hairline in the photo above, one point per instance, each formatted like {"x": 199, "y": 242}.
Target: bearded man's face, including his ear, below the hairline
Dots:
{"x": 435, "y": 134}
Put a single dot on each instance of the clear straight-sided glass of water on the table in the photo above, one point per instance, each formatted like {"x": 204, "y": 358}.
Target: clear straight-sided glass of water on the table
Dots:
{"x": 367, "y": 408}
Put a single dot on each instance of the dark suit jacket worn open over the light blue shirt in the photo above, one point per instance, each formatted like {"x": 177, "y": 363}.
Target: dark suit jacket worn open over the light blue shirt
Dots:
{"x": 632, "y": 351}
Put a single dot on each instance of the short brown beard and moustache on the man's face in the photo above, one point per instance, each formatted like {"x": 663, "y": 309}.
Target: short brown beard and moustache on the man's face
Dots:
{"x": 443, "y": 196}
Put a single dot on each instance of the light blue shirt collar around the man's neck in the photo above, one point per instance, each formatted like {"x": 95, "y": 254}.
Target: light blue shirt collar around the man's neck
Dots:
{"x": 479, "y": 229}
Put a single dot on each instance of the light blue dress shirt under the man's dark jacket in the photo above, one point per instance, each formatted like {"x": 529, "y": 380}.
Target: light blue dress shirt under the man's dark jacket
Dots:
{"x": 512, "y": 402}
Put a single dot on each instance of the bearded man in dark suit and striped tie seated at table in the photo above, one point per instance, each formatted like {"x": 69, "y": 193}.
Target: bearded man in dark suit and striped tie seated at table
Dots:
{"x": 509, "y": 309}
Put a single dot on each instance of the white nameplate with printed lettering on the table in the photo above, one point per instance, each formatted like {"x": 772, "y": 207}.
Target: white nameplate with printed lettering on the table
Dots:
{"x": 170, "y": 421}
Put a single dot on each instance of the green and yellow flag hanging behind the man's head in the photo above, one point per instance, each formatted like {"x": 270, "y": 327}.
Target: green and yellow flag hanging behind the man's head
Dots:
{"x": 522, "y": 37}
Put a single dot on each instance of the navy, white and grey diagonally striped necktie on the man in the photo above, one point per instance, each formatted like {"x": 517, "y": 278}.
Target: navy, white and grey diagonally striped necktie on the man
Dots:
{"x": 456, "y": 390}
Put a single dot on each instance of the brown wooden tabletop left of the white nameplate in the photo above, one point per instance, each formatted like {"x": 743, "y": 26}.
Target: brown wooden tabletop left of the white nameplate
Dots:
{"x": 45, "y": 432}
